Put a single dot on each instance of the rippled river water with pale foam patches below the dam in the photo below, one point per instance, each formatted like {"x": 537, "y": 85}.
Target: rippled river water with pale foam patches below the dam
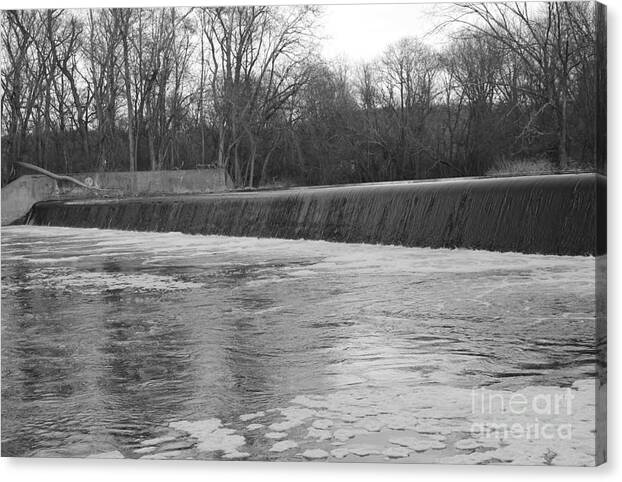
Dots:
{"x": 176, "y": 346}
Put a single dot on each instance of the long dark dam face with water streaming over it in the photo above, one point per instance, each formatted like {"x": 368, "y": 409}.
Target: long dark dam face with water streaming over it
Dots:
{"x": 562, "y": 214}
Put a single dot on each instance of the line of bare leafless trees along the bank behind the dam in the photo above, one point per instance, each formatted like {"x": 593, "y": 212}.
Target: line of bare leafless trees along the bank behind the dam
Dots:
{"x": 246, "y": 89}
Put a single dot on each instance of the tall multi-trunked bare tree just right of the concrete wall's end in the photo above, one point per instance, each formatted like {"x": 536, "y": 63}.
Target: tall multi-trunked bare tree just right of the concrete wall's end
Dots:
{"x": 257, "y": 57}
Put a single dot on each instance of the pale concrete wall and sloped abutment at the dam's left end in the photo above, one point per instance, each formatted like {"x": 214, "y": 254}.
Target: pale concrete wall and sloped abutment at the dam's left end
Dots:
{"x": 19, "y": 196}
